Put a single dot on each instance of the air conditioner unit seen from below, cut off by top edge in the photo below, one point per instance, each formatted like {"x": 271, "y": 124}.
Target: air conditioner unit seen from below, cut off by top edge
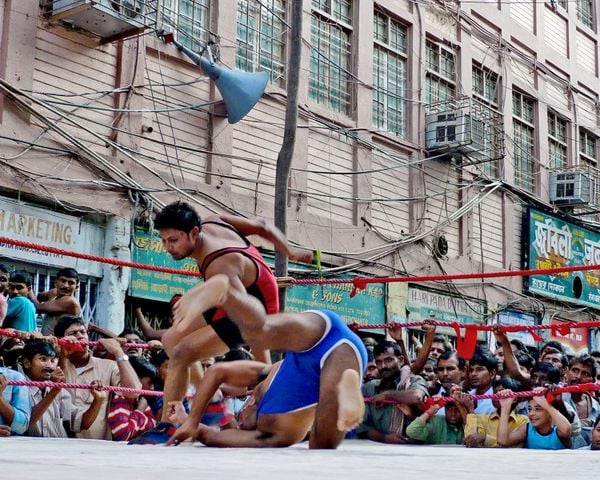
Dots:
{"x": 105, "y": 18}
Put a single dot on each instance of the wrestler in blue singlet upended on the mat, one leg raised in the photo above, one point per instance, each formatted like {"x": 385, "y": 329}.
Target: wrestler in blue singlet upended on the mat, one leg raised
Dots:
{"x": 316, "y": 387}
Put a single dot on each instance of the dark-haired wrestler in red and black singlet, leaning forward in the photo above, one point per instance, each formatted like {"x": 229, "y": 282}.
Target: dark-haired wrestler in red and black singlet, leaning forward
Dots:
{"x": 219, "y": 246}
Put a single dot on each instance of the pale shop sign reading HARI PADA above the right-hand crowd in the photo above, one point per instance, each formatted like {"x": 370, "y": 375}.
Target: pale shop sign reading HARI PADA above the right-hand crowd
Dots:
{"x": 424, "y": 304}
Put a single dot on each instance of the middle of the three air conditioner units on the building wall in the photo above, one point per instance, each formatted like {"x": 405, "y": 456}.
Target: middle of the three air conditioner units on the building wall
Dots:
{"x": 455, "y": 130}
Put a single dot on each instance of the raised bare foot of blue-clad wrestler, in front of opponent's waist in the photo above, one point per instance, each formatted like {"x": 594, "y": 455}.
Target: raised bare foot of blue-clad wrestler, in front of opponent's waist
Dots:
{"x": 210, "y": 294}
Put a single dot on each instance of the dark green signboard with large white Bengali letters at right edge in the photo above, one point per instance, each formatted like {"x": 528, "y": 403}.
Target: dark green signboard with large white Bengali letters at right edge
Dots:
{"x": 556, "y": 243}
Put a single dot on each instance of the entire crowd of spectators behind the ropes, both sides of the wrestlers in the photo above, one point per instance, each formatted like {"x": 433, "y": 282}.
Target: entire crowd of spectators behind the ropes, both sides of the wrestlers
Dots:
{"x": 396, "y": 385}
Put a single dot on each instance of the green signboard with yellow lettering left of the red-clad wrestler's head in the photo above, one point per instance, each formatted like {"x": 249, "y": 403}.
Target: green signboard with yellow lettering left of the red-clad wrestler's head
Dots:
{"x": 158, "y": 286}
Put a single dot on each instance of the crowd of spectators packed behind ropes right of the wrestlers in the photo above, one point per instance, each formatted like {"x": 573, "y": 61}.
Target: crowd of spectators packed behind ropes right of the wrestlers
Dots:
{"x": 397, "y": 386}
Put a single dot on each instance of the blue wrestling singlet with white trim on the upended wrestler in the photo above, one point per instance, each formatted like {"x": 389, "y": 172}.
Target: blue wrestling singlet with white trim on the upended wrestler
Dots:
{"x": 295, "y": 386}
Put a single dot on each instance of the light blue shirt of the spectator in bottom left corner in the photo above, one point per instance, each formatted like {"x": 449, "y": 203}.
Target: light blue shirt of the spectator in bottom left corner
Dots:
{"x": 15, "y": 405}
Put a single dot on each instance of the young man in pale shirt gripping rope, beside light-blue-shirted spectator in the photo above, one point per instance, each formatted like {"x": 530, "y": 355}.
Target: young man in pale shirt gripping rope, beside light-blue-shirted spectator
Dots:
{"x": 52, "y": 409}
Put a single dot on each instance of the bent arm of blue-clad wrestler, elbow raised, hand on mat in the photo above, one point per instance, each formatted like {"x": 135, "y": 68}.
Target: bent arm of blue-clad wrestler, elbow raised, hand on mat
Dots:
{"x": 242, "y": 373}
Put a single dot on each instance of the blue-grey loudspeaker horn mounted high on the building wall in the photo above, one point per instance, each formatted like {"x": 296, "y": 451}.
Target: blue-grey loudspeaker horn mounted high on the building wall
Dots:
{"x": 240, "y": 90}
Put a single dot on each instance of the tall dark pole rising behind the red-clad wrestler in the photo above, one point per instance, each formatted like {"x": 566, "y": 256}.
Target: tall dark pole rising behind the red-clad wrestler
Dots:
{"x": 284, "y": 160}
